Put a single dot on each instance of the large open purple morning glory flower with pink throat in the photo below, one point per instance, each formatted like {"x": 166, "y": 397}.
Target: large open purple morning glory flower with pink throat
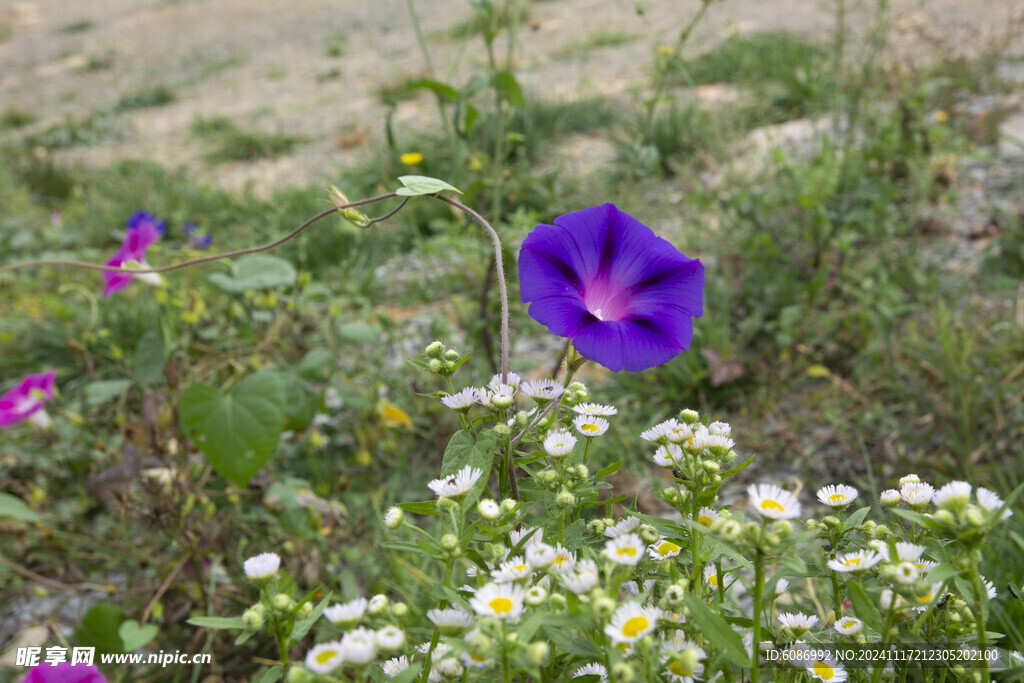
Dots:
{"x": 625, "y": 296}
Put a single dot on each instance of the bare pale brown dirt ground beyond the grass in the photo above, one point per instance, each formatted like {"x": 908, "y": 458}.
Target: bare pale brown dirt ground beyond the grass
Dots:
{"x": 268, "y": 64}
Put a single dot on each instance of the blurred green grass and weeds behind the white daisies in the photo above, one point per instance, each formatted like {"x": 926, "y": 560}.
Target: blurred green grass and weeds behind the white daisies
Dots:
{"x": 852, "y": 333}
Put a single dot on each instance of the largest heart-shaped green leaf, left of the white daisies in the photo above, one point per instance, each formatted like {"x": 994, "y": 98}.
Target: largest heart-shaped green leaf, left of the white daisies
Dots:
{"x": 239, "y": 432}
